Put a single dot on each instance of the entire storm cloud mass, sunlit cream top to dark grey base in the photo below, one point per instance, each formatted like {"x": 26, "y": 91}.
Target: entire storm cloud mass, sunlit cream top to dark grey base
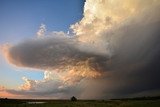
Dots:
{"x": 114, "y": 51}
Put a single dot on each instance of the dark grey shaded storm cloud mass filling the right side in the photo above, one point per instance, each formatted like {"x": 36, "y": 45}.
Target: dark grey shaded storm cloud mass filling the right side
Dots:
{"x": 135, "y": 64}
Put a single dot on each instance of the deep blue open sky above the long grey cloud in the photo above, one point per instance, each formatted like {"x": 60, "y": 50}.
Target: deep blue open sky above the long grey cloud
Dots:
{"x": 21, "y": 18}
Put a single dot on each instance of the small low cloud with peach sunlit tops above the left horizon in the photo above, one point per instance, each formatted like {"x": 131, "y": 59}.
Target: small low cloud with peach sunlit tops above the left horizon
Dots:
{"x": 51, "y": 86}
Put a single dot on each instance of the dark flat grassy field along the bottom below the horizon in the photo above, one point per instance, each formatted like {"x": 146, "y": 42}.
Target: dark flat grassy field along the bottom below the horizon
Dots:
{"x": 93, "y": 103}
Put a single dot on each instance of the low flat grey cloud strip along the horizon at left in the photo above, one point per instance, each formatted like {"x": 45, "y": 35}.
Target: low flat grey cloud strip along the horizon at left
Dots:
{"x": 51, "y": 92}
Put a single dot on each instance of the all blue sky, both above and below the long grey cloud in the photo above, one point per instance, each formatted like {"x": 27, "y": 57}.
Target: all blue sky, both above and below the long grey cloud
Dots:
{"x": 20, "y": 19}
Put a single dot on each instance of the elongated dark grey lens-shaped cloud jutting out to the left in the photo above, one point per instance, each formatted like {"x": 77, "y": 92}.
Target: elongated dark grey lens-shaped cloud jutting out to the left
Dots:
{"x": 50, "y": 53}
